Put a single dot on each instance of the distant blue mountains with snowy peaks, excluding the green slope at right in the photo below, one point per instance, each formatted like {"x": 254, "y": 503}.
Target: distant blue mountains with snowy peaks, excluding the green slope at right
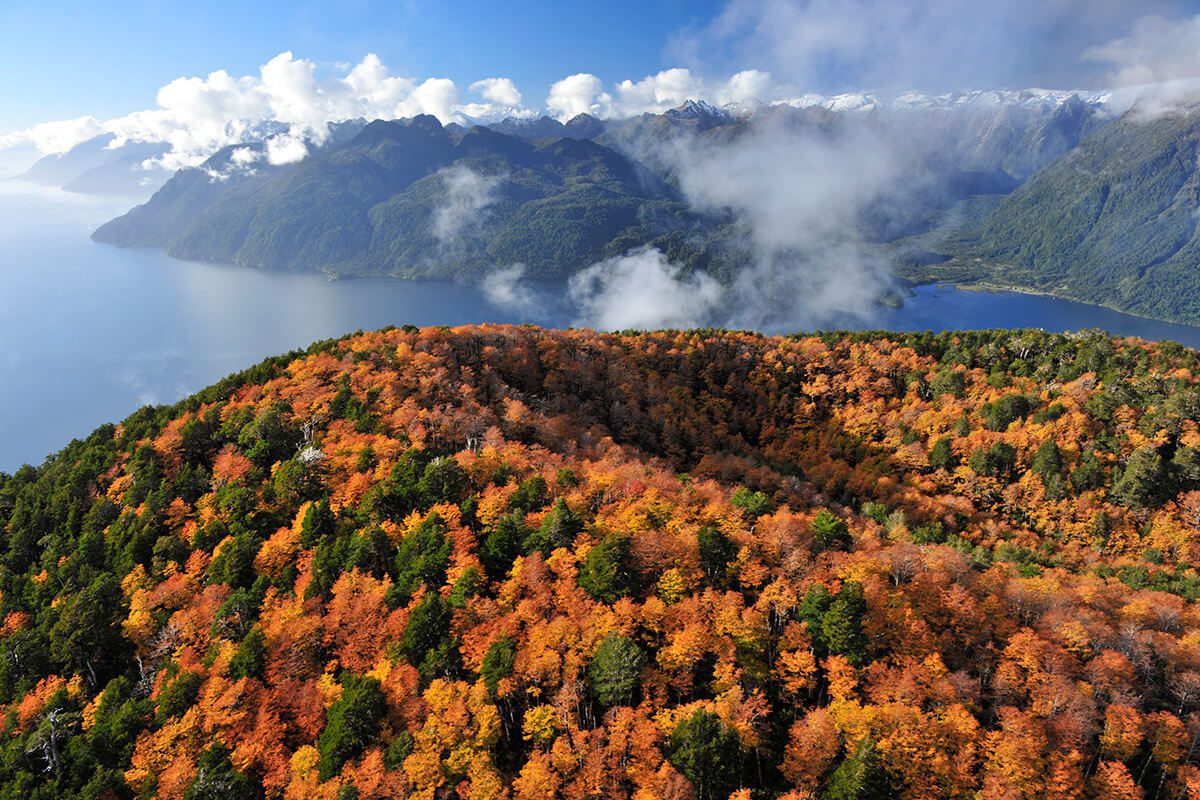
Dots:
{"x": 419, "y": 200}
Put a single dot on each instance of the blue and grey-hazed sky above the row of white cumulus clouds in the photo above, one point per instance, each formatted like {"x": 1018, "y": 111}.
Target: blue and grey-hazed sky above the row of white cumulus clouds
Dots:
{"x": 73, "y": 58}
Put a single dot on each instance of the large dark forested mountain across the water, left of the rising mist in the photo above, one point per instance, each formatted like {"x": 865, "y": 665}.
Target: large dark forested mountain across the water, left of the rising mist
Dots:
{"x": 413, "y": 199}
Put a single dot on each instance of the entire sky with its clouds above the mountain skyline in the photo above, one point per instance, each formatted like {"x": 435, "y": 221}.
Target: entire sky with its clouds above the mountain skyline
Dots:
{"x": 205, "y": 75}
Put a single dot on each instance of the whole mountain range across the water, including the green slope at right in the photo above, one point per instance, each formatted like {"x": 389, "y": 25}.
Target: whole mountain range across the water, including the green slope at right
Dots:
{"x": 1040, "y": 191}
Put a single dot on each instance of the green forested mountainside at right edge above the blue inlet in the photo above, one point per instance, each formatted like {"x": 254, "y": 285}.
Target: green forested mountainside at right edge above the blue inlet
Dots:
{"x": 1114, "y": 222}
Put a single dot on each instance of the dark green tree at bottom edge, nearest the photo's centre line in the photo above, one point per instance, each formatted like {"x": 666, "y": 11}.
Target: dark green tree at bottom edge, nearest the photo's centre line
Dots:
{"x": 709, "y": 754}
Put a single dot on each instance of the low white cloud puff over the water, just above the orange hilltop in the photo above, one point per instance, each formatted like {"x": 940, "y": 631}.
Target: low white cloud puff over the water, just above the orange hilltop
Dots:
{"x": 644, "y": 291}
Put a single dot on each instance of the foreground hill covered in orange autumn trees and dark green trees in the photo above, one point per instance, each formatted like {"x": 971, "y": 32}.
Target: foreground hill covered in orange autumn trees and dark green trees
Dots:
{"x": 512, "y": 563}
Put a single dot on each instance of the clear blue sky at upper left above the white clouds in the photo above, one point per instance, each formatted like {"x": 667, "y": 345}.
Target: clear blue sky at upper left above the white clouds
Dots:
{"x": 71, "y": 58}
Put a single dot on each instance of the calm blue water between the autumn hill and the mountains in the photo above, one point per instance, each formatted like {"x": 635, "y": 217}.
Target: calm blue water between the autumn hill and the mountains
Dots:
{"x": 89, "y": 333}
